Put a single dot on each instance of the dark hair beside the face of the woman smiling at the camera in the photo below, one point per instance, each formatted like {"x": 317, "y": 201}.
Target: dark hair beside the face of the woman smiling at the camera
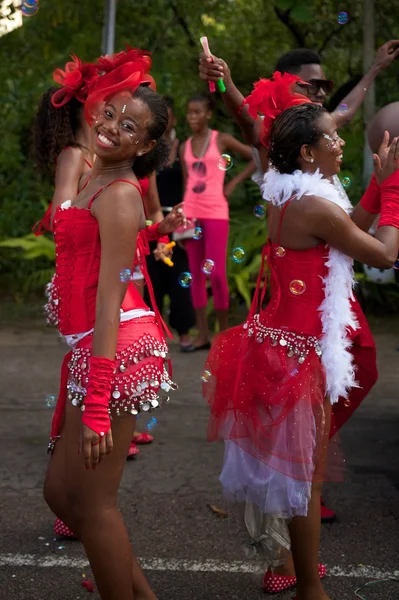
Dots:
{"x": 158, "y": 156}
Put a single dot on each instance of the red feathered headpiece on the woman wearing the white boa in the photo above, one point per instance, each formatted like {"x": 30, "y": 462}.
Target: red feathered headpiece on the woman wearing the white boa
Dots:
{"x": 271, "y": 97}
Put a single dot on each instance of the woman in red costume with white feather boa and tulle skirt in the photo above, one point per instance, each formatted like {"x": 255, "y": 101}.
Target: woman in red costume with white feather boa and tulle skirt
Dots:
{"x": 272, "y": 382}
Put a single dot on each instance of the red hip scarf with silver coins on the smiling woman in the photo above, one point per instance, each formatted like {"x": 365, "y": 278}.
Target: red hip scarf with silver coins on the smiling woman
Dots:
{"x": 134, "y": 392}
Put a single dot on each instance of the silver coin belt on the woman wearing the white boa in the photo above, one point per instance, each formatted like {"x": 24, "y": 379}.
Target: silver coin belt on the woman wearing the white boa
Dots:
{"x": 294, "y": 344}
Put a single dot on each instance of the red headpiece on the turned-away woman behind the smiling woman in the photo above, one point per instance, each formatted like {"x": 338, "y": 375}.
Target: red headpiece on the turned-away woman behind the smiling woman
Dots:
{"x": 75, "y": 80}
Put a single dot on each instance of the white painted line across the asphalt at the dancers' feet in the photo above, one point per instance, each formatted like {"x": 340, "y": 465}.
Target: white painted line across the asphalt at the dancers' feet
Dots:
{"x": 176, "y": 564}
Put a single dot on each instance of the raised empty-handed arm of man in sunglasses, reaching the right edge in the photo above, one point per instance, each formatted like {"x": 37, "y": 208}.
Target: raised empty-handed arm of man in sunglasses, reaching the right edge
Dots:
{"x": 384, "y": 57}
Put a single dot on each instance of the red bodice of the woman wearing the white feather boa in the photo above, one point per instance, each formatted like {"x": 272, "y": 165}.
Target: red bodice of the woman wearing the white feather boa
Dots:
{"x": 296, "y": 288}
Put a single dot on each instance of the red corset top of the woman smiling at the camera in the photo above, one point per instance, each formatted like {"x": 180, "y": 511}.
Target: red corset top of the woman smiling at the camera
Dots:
{"x": 77, "y": 267}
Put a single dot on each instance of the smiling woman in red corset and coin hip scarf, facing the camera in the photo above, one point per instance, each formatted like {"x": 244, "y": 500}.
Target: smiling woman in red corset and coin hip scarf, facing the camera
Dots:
{"x": 117, "y": 365}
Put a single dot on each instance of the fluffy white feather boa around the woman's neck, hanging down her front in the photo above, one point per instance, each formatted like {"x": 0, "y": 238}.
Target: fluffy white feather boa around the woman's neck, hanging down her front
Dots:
{"x": 336, "y": 313}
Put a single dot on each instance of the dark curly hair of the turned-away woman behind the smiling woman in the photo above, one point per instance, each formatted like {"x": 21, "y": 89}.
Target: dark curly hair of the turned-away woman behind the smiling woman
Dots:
{"x": 53, "y": 130}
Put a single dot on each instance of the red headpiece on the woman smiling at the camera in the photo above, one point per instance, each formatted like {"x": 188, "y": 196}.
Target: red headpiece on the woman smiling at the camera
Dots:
{"x": 123, "y": 71}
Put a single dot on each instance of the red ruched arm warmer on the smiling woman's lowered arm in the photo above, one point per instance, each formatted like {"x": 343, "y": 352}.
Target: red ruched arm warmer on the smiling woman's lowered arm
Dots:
{"x": 95, "y": 414}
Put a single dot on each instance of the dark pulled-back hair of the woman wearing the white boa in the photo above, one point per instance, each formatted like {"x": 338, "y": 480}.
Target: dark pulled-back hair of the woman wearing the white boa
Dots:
{"x": 292, "y": 129}
